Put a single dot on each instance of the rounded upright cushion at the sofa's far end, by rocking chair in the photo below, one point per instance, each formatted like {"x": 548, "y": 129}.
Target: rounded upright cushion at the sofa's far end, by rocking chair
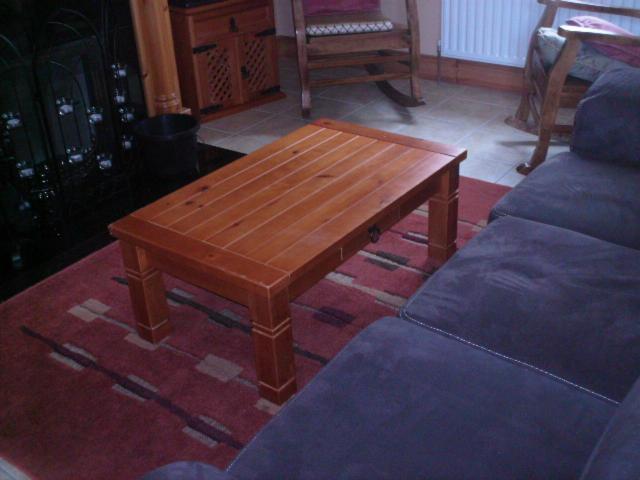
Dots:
{"x": 607, "y": 123}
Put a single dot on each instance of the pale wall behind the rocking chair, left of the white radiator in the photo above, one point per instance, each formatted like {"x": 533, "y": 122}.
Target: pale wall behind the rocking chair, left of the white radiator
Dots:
{"x": 429, "y": 12}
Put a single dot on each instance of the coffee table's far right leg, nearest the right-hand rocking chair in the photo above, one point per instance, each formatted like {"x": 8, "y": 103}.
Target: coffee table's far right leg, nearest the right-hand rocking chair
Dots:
{"x": 443, "y": 218}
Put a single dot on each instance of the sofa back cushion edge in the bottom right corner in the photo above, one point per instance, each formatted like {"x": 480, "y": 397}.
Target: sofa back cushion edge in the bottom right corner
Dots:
{"x": 617, "y": 454}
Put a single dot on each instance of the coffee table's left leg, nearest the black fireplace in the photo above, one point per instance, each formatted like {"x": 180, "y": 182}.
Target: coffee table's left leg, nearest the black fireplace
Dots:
{"x": 147, "y": 292}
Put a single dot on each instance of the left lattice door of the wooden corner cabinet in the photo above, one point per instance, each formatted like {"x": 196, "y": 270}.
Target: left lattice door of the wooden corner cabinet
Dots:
{"x": 218, "y": 72}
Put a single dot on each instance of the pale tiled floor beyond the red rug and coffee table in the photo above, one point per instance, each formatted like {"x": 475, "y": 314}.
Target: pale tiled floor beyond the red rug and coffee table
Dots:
{"x": 471, "y": 117}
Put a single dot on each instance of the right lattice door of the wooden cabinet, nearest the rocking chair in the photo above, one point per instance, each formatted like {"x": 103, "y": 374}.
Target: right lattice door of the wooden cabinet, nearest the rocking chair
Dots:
{"x": 259, "y": 64}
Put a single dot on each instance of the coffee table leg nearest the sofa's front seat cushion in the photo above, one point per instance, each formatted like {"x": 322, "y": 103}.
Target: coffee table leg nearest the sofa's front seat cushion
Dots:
{"x": 273, "y": 345}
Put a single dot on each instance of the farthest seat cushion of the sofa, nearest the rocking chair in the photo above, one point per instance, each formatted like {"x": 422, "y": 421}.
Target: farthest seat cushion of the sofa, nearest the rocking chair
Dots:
{"x": 592, "y": 197}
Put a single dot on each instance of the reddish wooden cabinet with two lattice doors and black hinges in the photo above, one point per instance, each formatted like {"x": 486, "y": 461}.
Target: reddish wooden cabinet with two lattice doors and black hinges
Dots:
{"x": 226, "y": 54}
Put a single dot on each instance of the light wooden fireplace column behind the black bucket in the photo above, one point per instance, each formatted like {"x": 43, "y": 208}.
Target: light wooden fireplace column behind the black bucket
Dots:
{"x": 154, "y": 39}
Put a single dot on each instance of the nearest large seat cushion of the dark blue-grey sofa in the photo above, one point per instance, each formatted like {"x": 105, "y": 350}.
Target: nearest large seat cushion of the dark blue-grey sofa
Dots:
{"x": 401, "y": 401}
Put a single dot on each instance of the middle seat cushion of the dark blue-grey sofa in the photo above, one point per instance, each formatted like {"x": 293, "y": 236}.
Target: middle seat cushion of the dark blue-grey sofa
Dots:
{"x": 560, "y": 301}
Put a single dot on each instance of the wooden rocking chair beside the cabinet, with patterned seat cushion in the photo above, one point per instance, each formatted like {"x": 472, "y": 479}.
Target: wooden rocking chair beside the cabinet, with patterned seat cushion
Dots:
{"x": 356, "y": 38}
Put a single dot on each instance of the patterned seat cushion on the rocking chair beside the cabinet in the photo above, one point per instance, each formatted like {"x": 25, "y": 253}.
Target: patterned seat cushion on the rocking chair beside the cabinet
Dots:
{"x": 368, "y": 22}
